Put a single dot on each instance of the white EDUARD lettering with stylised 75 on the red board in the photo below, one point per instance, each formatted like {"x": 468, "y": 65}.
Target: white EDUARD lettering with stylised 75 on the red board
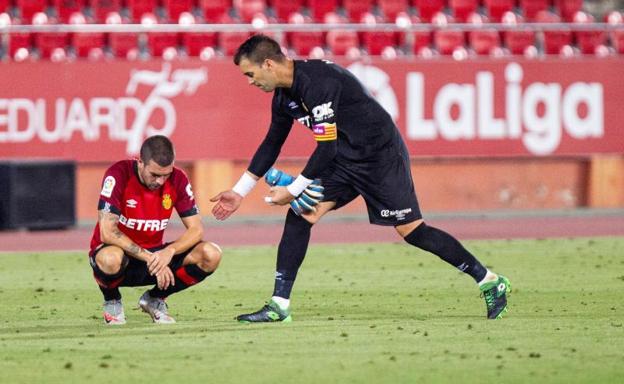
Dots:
{"x": 25, "y": 119}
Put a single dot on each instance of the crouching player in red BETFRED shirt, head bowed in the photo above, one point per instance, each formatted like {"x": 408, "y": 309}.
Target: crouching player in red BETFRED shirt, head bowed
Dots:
{"x": 127, "y": 249}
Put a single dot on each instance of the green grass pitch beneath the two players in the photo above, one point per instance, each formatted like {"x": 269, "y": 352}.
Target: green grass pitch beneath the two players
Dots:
{"x": 382, "y": 313}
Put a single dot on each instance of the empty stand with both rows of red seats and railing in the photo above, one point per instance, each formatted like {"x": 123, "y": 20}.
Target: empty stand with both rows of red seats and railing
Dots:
{"x": 405, "y": 27}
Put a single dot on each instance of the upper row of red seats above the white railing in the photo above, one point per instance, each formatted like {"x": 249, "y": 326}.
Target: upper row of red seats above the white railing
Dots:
{"x": 214, "y": 10}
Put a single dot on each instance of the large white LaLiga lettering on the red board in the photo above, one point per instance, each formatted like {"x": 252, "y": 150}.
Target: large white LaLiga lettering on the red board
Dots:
{"x": 538, "y": 115}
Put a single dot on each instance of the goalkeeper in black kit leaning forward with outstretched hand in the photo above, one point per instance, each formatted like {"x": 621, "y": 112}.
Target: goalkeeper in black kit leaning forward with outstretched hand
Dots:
{"x": 359, "y": 152}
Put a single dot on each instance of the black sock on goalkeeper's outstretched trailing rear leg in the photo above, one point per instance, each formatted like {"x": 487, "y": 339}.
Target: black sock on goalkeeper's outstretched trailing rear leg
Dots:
{"x": 447, "y": 248}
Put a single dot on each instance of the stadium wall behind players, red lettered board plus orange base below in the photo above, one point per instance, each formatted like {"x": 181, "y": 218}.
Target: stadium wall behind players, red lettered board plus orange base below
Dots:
{"x": 484, "y": 134}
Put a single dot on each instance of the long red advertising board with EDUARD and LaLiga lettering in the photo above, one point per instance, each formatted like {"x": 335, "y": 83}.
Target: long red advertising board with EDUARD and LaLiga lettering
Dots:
{"x": 101, "y": 111}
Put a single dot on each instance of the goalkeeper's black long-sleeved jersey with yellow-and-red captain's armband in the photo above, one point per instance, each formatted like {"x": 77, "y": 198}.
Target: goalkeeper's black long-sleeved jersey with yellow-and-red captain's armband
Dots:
{"x": 348, "y": 124}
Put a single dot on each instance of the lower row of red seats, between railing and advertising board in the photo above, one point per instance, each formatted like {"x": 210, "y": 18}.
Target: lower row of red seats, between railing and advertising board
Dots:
{"x": 444, "y": 42}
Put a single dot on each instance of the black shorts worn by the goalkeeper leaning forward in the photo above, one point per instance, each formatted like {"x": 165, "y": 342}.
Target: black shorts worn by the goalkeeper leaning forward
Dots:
{"x": 385, "y": 182}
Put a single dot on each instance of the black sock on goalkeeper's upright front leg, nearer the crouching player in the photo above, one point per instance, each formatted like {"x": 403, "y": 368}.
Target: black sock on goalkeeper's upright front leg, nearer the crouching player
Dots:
{"x": 290, "y": 253}
